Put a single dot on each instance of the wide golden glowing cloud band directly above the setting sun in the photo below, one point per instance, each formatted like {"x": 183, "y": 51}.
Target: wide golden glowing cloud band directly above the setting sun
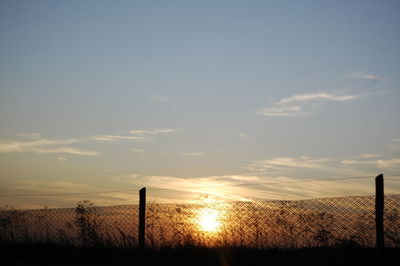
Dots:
{"x": 242, "y": 187}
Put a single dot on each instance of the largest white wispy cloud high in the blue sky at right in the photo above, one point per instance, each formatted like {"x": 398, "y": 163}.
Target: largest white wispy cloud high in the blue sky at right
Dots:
{"x": 294, "y": 105}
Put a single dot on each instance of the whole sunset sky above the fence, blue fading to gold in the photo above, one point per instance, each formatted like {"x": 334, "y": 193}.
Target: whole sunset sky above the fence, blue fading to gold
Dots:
{"x": 234, "y": 99}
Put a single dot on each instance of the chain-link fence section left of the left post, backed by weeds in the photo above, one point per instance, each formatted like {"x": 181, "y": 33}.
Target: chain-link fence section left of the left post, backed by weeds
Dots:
{"x": 84, "y": 225}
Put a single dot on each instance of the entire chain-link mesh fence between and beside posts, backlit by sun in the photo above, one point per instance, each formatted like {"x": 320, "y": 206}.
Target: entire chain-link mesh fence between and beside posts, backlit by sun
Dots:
{"x": 341, "y": 221}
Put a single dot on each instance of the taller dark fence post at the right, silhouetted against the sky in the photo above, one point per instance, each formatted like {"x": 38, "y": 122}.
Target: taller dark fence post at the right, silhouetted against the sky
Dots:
{"x": 379, "y": 207}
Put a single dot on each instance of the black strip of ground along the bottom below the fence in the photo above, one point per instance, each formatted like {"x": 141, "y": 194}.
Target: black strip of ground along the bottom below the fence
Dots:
{"x": 55, "y": 255}
